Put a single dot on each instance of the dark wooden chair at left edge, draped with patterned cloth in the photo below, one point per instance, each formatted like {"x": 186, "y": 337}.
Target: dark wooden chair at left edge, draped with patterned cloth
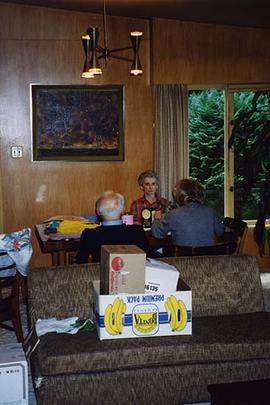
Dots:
{"x": 10, "y": 300}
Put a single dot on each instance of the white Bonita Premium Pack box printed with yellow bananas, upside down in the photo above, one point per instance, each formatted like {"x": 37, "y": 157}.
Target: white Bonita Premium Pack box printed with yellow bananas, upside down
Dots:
{"x": 143, "y": 315}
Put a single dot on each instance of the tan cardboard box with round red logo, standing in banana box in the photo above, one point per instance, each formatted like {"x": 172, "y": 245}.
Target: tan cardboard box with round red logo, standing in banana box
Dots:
{"x": 122, "y": 269}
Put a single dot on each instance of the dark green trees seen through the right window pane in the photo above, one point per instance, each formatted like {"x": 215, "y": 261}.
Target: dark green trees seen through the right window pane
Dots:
{"x": 251, "y": 141}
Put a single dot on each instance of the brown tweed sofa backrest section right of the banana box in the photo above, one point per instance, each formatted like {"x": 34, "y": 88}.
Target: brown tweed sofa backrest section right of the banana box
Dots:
{"x": 221, "y": 285}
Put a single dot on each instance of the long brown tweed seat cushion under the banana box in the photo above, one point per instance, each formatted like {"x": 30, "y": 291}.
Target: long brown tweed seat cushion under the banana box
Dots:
{"x": 214, "y": 339}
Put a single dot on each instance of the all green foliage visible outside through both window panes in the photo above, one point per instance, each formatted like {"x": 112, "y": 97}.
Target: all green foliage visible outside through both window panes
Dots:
{"x": 251, "y": 141}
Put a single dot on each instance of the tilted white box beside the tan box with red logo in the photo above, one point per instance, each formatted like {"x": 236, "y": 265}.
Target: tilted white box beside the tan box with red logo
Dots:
{"x": 160, "y": 276}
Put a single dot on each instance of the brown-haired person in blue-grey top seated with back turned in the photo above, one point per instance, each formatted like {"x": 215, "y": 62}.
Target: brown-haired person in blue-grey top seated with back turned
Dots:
{"x": 192, "y": 223}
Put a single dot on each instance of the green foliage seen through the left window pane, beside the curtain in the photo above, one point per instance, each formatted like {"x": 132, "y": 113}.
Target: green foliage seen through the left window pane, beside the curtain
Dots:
{"x": 206, "y": 144}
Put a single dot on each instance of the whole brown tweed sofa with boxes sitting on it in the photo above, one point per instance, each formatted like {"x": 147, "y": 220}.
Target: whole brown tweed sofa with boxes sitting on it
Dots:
{"x": 230, "y": 339}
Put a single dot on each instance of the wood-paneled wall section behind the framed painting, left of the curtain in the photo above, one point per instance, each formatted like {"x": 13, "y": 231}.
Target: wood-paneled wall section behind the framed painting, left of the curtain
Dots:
{"x": 42, "y": 45}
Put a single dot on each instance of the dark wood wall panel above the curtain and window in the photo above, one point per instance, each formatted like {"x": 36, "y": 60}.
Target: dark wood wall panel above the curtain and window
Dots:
{"x": 194, "y": 53}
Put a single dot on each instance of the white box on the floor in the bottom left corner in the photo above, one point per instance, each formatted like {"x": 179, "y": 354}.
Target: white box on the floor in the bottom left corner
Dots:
{"x": 13, "y": 375}
